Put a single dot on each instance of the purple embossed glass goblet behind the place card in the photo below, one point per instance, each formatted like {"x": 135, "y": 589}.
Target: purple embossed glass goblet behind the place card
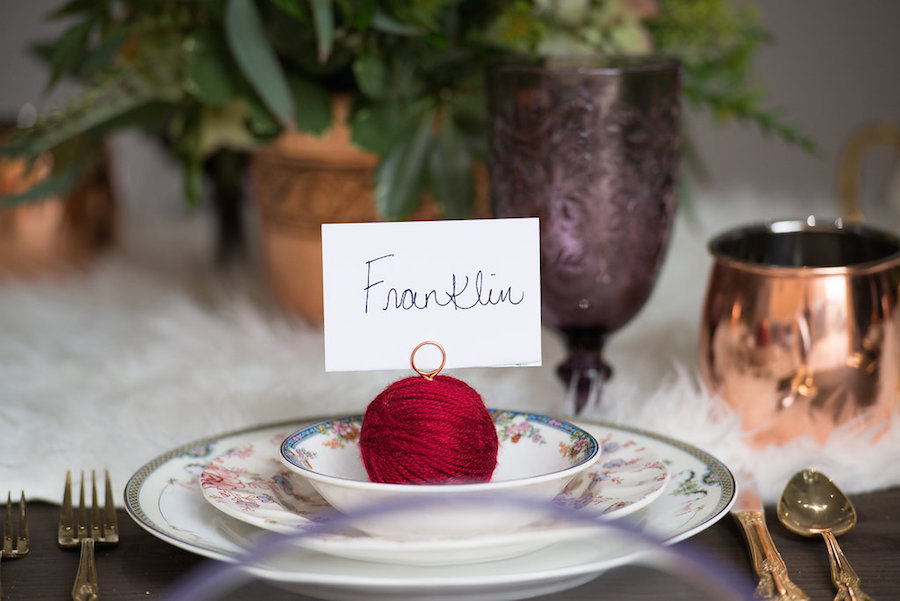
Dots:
{"x": 591, "y": 146}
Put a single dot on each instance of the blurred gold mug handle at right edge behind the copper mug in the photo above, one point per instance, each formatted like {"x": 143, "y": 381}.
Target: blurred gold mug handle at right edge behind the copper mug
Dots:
{"x": 880, "y": 133}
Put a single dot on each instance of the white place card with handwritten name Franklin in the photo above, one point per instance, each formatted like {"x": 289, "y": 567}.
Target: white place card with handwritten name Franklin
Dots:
{"x": 473, "y": 286}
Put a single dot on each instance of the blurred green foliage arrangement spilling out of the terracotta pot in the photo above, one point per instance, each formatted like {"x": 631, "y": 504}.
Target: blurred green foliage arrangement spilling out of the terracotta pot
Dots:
{"x": 215, "y": 78}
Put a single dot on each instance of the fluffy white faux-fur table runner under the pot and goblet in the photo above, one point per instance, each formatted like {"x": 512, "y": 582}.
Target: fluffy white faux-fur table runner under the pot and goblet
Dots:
{"x": 155, "y": 346}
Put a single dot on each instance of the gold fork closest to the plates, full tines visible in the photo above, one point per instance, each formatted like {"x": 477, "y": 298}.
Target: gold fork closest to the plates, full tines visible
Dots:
{"x": 86, "y": 533}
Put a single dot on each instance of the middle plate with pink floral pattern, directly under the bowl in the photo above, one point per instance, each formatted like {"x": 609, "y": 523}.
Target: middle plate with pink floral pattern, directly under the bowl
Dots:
{"x": 251, "y": 484}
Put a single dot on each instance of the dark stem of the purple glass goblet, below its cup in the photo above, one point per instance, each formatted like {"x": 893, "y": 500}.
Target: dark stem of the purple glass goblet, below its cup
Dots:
{"x": 583, "y": 373}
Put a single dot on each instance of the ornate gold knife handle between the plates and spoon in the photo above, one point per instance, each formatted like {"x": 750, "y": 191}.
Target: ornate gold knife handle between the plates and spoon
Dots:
{"x": 774, "y": 584}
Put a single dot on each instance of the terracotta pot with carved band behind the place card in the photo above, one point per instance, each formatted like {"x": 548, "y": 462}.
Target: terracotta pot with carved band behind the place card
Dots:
{"x": 302, "y": 181}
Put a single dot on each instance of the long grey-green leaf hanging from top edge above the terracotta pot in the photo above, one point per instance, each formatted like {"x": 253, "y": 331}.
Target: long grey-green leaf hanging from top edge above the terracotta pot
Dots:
{"x": 256, "y": 59}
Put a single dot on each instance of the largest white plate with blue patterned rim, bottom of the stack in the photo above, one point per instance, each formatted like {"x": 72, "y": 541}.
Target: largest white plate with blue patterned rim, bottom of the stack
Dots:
{"x": 164, "y": 497}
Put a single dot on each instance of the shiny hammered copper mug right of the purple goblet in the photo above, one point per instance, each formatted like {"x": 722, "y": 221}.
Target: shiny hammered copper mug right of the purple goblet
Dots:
{"x": 800, "y": 330}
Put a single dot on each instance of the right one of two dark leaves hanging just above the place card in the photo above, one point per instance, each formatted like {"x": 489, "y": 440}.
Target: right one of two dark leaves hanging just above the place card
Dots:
{"x": 450, "y": 172}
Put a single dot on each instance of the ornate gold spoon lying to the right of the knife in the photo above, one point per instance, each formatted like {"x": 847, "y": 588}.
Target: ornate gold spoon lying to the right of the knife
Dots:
{"x": 812, "y": 504}
